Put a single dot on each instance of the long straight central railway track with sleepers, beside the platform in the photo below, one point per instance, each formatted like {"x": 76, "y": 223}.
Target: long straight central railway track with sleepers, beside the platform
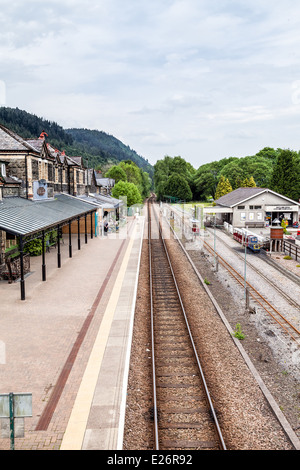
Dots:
{"x": 183, "y": 412}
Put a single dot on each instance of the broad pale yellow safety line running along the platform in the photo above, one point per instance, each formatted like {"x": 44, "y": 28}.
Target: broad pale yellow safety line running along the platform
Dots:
{"x": 74, "y": 435}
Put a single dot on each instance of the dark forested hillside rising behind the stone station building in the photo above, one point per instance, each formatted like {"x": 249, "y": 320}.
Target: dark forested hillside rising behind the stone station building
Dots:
{"x": 96, "y": 147}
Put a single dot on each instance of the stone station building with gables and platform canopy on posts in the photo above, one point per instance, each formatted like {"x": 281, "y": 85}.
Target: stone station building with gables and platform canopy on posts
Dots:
{"x": 42, "y": 190}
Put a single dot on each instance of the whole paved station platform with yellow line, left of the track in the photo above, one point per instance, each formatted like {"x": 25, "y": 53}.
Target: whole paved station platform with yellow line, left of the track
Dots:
{"x": 69, "y": 343}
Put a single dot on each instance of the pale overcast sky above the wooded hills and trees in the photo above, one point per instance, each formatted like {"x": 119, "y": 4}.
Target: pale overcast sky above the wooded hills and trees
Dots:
{"x": 204, "y": 79}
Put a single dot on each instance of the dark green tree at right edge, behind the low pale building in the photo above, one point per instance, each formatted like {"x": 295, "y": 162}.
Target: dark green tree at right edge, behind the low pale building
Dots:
{"x": 286, "y": 175}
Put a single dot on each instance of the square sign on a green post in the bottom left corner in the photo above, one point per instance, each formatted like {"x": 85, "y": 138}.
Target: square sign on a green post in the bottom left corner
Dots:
{"x": 15, "y": 405}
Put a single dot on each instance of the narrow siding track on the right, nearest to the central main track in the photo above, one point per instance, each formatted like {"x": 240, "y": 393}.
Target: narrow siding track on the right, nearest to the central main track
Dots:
{"x": 278, "y": 317}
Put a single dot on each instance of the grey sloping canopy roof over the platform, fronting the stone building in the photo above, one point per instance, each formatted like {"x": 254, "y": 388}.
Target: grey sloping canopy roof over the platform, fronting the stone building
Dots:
{"x": 21, "y": 216}
